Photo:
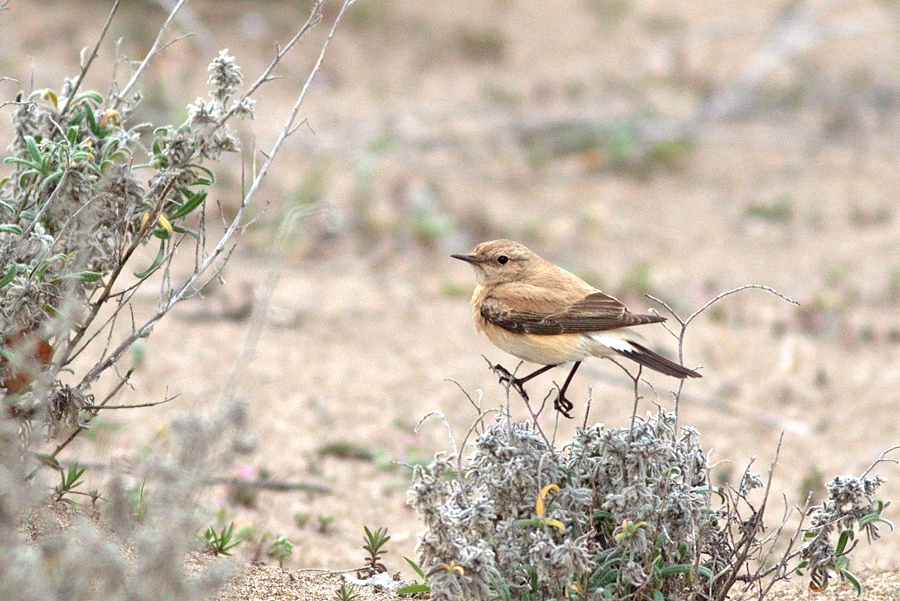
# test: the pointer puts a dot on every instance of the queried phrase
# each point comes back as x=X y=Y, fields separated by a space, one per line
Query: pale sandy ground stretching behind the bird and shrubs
x=436 y=125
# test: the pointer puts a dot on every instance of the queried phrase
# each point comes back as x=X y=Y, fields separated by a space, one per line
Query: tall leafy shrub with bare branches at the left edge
x=88 y=185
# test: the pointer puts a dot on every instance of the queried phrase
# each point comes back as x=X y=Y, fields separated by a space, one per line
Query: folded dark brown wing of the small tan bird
x=594 y=313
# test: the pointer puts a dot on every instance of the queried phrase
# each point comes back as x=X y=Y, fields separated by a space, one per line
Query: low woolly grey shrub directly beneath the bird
x=622 y=513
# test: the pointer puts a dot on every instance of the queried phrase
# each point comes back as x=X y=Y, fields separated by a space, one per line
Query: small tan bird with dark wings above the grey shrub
x=541 y=313
